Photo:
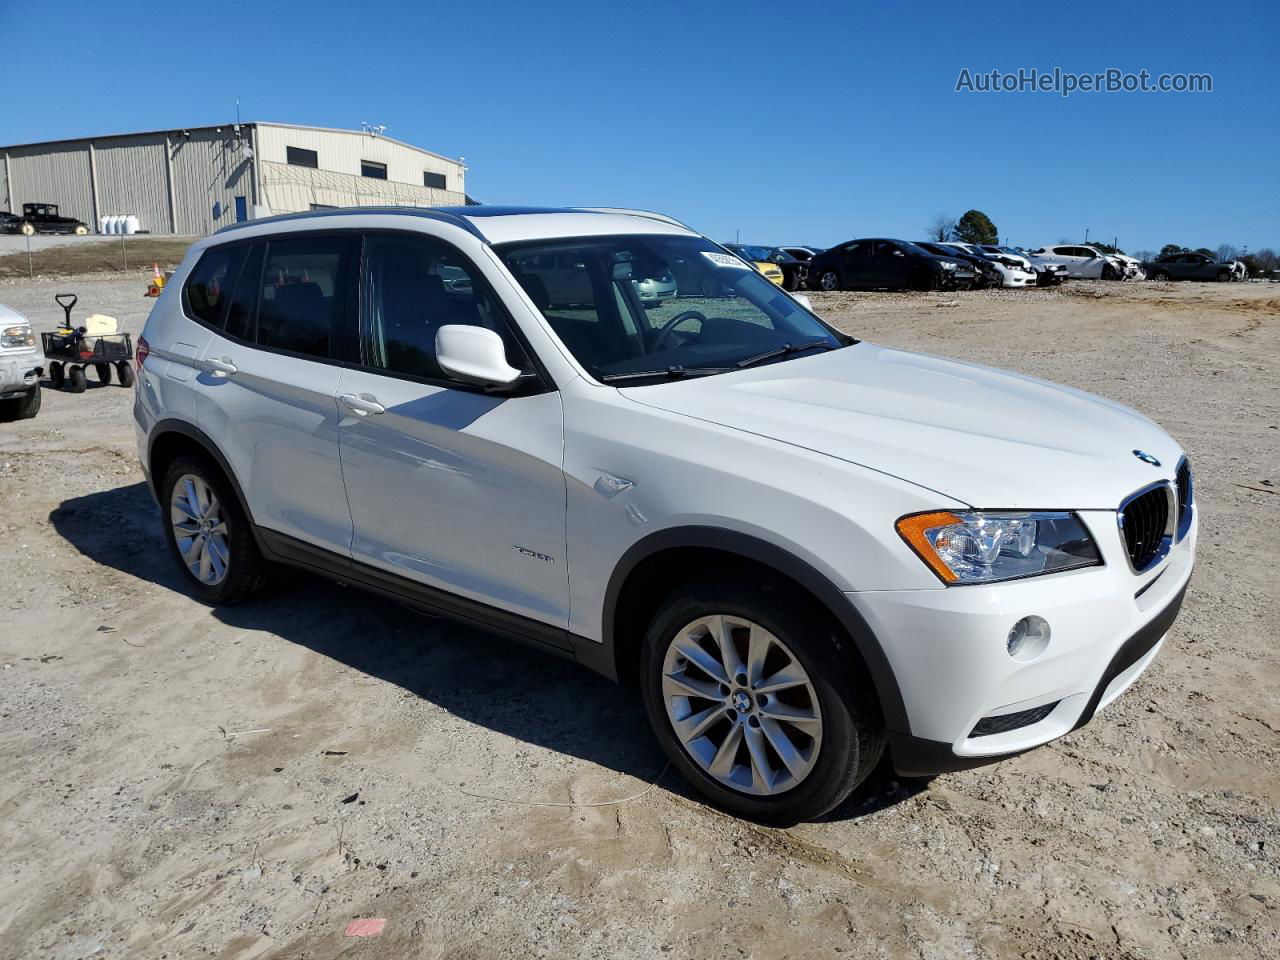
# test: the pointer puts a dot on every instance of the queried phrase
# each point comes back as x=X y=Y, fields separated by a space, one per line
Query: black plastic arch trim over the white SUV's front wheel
x=788 y=565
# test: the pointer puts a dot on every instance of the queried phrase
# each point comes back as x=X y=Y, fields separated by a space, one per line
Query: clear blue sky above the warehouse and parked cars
x=808 y=122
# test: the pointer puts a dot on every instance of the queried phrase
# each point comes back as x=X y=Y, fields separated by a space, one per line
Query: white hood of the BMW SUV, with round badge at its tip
x=980 y=436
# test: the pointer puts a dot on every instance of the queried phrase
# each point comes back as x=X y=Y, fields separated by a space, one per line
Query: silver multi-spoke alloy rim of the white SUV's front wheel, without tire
x=742 y=705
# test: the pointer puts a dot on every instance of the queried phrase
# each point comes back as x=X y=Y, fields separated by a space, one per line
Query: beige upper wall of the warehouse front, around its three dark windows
x=340 y=152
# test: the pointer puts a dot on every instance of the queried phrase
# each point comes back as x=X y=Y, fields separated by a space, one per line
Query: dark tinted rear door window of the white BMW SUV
x=301 y=292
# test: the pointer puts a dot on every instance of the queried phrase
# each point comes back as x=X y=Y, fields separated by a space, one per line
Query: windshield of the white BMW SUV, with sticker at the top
x=712 y=314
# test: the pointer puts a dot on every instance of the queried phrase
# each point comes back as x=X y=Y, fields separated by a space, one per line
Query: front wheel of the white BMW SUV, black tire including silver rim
x=835 y=749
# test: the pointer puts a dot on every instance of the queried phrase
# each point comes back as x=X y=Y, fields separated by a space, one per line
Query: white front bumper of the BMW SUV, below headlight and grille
x=947 y=650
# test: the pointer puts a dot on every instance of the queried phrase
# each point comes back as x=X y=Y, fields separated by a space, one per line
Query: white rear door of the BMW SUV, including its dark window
x=269 y=380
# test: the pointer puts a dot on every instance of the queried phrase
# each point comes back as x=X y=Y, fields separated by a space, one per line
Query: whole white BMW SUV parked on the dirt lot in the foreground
x=803 y=548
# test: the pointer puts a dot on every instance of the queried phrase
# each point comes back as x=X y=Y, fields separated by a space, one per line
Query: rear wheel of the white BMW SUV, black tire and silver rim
x=226 y=568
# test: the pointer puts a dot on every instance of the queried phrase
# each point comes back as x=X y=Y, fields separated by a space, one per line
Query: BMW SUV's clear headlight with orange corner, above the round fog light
x=982 y=548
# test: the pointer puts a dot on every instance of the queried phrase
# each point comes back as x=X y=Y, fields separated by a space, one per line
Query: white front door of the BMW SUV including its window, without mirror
x=450 y=487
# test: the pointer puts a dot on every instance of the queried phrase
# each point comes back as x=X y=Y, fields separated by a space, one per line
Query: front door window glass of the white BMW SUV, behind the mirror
x=414 y=286
